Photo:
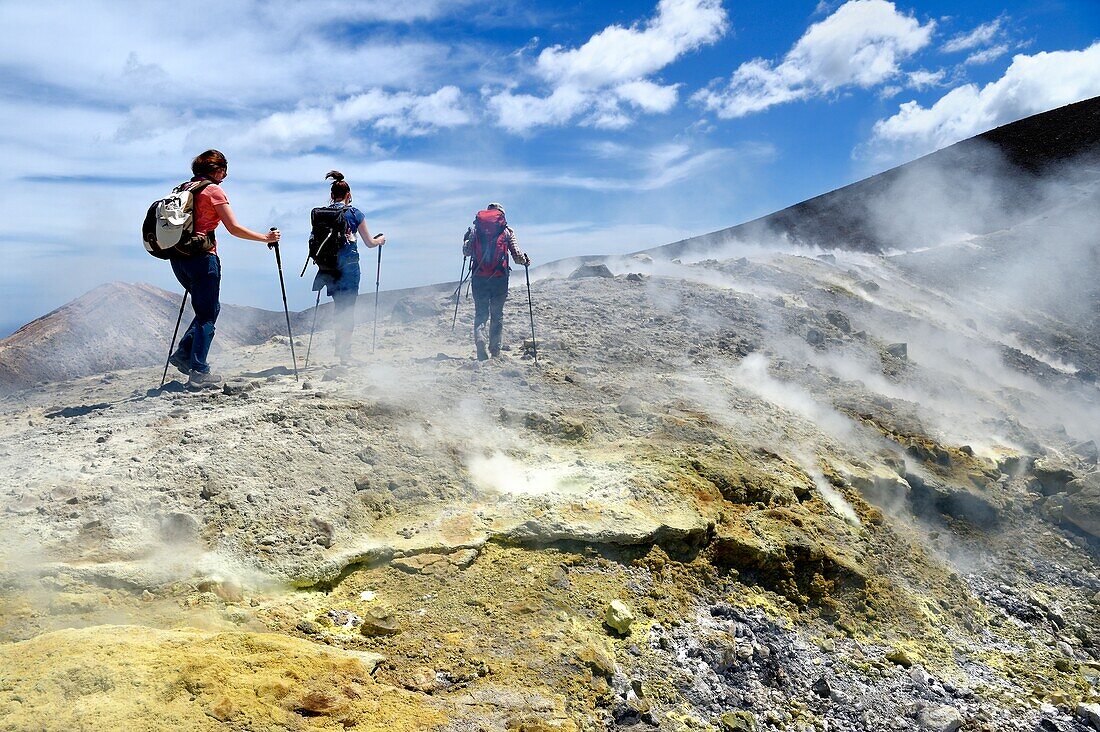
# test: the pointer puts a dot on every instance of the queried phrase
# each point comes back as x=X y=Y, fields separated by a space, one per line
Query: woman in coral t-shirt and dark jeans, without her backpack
x=201 y=275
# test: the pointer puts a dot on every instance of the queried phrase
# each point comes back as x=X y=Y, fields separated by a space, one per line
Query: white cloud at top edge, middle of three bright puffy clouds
x=862 y=45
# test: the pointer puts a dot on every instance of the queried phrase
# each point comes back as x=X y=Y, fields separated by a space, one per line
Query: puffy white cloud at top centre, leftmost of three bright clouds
x=606 y=79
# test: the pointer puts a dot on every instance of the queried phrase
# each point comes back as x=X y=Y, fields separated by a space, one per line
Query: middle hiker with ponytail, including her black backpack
x=338 y=267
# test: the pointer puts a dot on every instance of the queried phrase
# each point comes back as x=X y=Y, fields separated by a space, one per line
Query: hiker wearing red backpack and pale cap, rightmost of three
x=488 y=244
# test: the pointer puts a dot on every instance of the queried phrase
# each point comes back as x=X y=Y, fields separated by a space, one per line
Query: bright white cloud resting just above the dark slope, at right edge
x=1031 y=85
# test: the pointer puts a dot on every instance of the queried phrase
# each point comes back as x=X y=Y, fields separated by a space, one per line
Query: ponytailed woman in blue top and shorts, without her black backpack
x=343 y=282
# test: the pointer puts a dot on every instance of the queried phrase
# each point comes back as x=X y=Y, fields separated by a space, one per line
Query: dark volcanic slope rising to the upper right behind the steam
x=1022 y=151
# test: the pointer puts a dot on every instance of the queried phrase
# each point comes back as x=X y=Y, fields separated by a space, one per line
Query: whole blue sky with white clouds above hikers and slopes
x=602 y=128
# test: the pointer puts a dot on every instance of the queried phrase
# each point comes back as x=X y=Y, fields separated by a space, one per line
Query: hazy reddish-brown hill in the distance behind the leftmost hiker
x=115 y=326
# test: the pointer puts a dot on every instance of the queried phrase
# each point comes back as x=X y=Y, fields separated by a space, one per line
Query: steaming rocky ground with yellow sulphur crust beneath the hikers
x=764 y=493
